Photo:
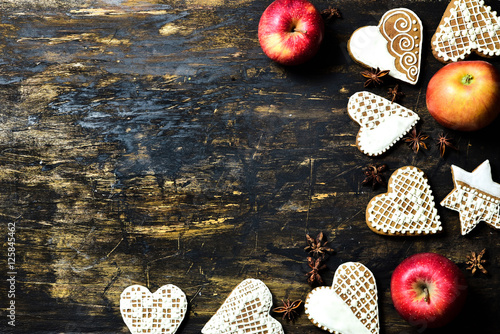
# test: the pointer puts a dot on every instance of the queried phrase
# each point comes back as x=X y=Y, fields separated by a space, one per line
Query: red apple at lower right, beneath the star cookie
x=428 y=290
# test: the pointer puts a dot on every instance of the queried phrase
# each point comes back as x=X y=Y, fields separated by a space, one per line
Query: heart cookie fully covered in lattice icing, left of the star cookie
x=407 y=208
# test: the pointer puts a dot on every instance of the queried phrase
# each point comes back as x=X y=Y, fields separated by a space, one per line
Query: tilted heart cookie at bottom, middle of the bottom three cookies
x=246 y=310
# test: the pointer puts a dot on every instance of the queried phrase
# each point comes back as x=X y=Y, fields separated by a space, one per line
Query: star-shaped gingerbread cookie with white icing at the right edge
x=475 y=196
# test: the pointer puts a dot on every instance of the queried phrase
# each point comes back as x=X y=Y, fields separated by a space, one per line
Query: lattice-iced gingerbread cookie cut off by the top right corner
x=467 y=26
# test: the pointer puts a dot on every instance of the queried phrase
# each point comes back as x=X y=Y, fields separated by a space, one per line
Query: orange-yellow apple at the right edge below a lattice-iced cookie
x=465 y=95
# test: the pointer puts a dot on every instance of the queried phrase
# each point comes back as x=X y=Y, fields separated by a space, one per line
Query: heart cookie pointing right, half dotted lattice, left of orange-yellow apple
x=382 y=122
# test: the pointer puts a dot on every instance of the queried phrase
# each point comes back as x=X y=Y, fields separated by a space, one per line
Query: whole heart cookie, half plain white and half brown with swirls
x=394 y=45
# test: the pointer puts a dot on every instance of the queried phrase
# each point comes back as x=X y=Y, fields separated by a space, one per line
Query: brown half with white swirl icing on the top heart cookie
x=403 y=30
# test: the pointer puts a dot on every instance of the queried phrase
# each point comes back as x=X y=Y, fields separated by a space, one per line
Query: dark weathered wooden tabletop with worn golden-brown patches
x=152 y=142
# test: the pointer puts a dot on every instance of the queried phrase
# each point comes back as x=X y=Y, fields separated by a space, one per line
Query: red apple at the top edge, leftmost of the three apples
x=291 y=31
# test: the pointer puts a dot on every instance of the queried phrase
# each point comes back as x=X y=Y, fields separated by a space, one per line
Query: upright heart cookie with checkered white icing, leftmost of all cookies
x=154 y=313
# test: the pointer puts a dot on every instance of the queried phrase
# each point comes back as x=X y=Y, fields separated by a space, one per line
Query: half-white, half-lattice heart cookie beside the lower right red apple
x=350 y=305
